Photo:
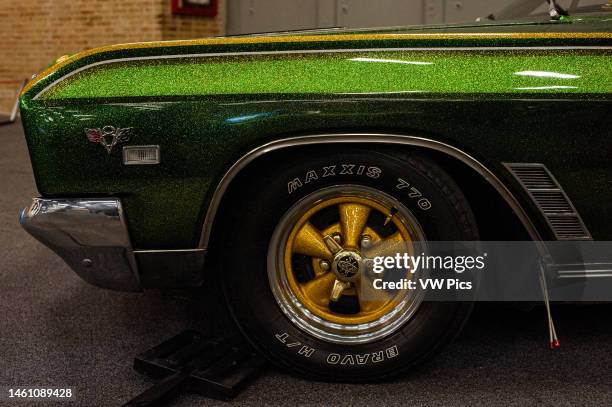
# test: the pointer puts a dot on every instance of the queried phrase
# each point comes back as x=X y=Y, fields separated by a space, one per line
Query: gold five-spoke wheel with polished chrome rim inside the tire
x=320 y=263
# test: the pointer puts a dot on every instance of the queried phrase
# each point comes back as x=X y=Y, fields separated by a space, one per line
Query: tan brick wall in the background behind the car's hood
x=33 y=33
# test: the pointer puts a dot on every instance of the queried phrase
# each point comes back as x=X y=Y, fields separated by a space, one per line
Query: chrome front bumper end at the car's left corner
x=90 y=235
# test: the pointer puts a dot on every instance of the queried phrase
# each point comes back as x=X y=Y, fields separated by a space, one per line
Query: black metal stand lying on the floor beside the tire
x=190 y=361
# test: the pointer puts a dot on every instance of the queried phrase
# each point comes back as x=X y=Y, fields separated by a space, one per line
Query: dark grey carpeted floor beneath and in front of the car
x=56 y=330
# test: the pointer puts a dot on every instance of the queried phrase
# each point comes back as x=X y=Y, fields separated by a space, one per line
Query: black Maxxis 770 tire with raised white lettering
x=442 y=211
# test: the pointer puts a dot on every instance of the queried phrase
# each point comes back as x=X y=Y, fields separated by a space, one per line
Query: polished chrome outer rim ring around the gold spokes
x=303 y=318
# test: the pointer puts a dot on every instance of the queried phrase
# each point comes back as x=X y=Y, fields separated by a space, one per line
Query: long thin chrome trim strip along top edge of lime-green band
x=310 y=51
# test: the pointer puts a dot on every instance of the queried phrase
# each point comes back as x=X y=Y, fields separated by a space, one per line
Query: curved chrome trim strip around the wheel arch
x=367 y=138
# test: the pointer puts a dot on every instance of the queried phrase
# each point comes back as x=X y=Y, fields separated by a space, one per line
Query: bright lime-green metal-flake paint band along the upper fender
x=362 y=72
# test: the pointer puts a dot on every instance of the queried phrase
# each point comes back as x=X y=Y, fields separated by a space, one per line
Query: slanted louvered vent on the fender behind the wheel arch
x=551 y=200
